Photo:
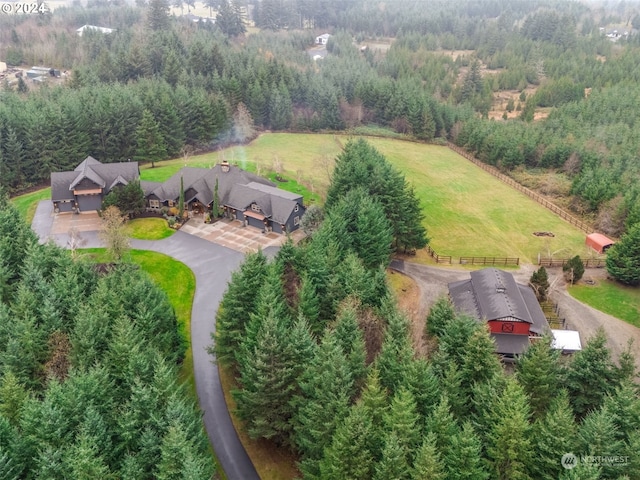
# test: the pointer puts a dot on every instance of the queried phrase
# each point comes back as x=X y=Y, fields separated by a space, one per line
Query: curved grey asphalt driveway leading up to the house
x=212 y=265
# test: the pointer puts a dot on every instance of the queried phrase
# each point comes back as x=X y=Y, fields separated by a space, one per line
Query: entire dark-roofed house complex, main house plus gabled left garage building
x=253 y=200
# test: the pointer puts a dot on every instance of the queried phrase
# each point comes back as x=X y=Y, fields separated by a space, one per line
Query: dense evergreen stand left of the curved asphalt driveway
x=88 y=369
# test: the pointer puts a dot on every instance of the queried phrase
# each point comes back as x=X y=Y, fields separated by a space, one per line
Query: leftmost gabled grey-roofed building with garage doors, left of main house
x=85 y=187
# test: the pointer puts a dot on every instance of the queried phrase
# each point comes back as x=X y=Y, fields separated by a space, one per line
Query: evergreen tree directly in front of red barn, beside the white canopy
x=539 y=373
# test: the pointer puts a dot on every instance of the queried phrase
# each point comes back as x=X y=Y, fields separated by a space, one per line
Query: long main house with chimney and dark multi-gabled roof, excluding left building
x=253 y=200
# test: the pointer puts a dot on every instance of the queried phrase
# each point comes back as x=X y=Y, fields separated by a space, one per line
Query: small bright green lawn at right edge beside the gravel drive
x=612 y=298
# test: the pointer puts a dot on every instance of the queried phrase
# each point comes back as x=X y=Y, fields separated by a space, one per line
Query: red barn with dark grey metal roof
x=511 y=310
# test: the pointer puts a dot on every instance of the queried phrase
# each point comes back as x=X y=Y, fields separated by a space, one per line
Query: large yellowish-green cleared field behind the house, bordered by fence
x=468 y=212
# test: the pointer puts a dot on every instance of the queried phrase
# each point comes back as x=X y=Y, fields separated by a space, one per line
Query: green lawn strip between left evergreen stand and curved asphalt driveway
x=179 y=283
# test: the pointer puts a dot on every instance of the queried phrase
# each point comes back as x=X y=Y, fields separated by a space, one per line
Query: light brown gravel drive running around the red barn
x=432 y=282
